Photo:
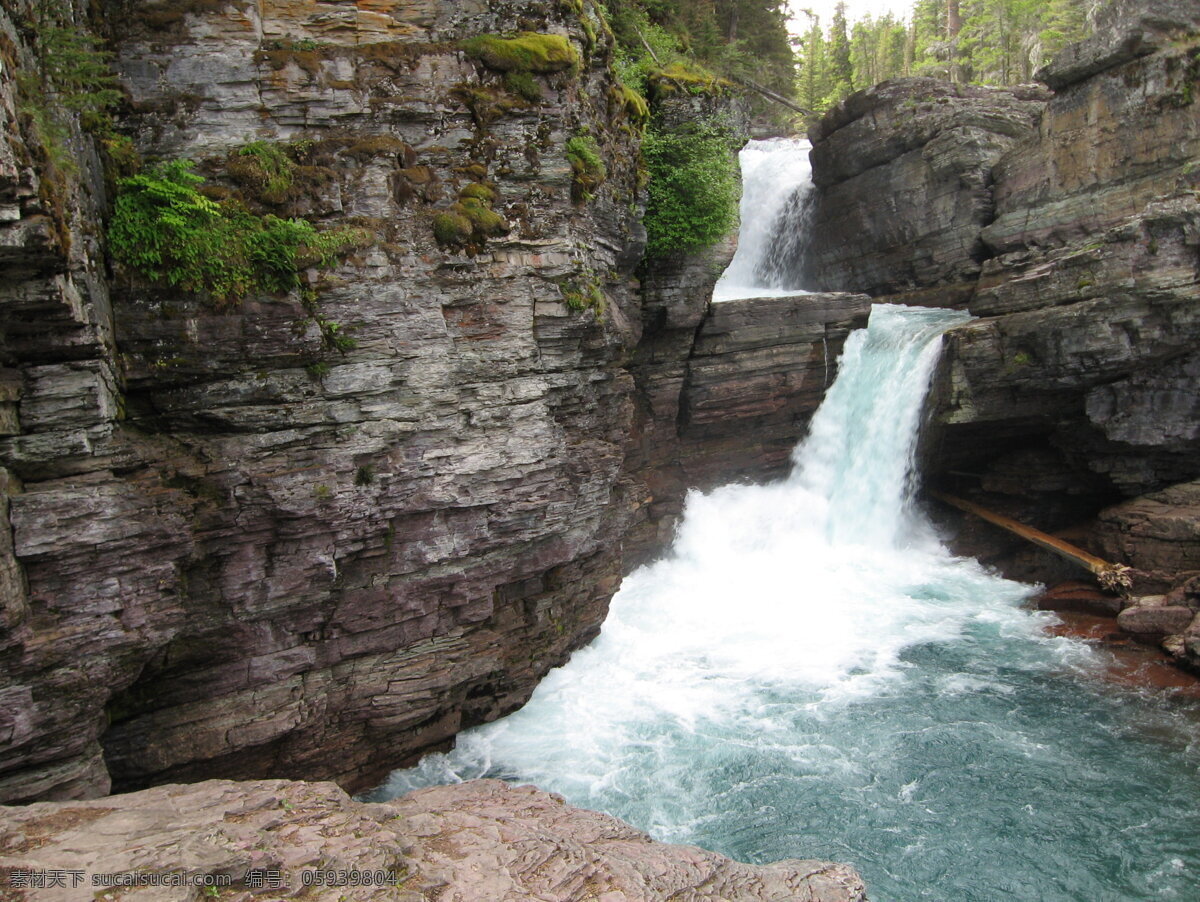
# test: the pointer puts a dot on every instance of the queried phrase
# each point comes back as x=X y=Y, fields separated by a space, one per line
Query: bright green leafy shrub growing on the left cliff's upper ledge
x=167 y=231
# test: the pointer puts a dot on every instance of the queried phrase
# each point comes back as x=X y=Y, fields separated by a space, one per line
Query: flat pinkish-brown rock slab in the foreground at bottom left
x=484 y=840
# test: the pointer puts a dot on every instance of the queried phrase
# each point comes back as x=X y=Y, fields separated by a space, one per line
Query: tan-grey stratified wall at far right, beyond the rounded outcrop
x=1090 y=300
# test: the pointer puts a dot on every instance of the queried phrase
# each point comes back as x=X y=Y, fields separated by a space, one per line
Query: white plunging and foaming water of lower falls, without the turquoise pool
x=808 y=591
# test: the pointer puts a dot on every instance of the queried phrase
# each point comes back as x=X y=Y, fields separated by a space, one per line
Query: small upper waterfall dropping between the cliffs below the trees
x=776 y=181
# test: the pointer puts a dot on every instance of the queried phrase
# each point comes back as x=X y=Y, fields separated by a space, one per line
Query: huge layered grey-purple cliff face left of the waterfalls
x=244 y=546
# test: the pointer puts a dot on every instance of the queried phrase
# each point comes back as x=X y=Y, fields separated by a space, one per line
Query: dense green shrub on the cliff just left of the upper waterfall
x=693 y=189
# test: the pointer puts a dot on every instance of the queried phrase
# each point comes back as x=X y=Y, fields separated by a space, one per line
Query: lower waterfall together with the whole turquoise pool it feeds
x=811 y=675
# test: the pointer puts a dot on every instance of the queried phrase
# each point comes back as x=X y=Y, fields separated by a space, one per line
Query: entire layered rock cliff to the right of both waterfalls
x=1070 y=225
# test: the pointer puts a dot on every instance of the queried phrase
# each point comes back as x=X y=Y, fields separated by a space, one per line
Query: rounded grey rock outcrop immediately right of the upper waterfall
x=904 y=178
